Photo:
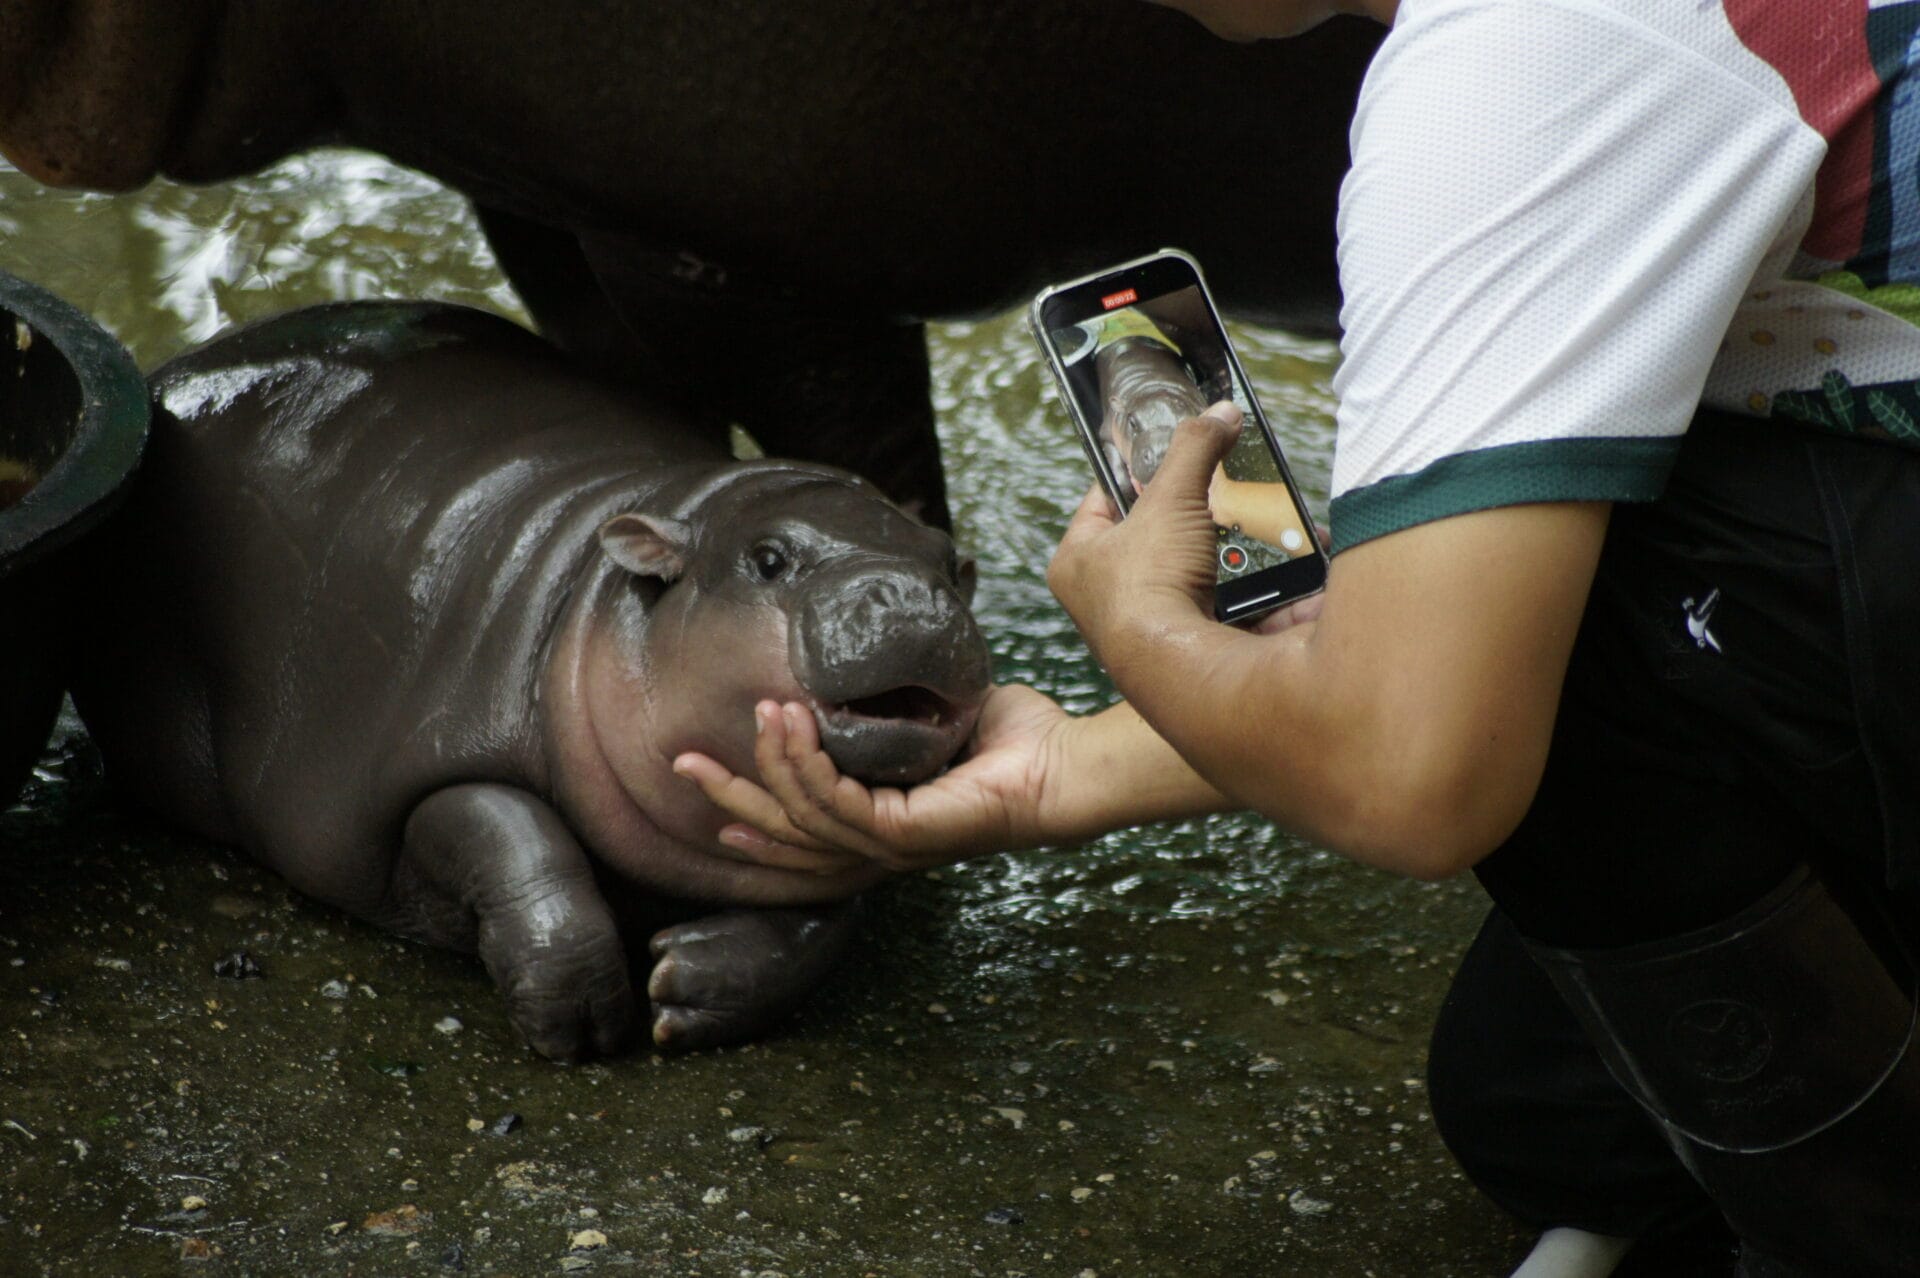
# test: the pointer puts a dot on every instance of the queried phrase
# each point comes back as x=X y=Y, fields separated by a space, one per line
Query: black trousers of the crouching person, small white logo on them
x=1744 y=696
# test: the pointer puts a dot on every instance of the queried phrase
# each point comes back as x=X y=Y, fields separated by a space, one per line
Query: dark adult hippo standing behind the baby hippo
x=750 y=206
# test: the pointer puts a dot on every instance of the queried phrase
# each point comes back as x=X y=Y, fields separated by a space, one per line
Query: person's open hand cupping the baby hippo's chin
x=992 y=801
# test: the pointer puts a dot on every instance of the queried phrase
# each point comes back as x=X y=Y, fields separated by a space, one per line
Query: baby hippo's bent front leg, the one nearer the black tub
x=492 y=868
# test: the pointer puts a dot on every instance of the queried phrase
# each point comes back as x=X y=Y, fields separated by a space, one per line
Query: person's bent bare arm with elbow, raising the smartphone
x=1408 y=724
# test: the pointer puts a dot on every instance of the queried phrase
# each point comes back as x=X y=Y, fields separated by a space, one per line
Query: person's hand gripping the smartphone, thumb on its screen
x=1157 y=565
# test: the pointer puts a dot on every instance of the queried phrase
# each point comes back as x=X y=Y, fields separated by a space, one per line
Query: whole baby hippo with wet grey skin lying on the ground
x=421 y=617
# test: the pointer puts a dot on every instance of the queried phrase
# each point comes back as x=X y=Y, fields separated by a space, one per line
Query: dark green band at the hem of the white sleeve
x=1510 y=475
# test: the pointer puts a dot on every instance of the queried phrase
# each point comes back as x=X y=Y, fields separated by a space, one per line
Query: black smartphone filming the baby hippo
x=1138 y=350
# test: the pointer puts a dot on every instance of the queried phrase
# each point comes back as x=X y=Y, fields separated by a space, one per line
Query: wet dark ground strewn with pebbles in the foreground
x=1116 y=1091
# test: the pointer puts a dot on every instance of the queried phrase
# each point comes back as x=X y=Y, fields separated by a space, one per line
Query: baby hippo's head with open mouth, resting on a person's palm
x=792 y=582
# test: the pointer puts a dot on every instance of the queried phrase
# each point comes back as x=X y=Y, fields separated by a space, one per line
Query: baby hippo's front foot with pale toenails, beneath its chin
x=731 y=978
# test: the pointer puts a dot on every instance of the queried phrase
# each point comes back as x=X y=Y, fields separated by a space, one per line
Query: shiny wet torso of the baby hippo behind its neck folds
x=354 y=534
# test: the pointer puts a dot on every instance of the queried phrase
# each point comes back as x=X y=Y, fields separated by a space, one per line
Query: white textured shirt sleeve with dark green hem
x=1548 y=225
